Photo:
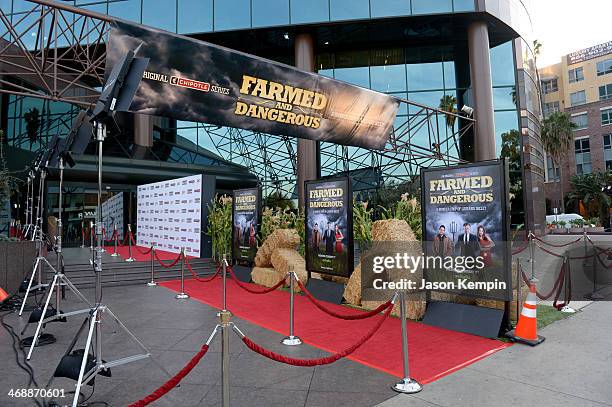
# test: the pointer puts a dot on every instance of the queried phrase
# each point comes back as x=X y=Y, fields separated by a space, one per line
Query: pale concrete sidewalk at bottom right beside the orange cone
x=573 y=367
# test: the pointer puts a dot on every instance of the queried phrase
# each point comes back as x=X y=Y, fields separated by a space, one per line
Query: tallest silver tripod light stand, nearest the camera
x=93 y=365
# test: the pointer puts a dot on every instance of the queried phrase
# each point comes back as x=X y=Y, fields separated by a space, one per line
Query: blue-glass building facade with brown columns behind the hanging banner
x=474 y=51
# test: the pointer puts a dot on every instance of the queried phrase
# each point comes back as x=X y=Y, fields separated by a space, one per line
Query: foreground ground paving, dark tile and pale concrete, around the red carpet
x=571 y=368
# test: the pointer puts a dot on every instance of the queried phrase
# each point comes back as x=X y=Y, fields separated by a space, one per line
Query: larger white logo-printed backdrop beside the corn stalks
x=169 y=215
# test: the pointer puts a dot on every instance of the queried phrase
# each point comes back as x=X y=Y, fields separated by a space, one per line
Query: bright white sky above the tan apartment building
x=565 y=26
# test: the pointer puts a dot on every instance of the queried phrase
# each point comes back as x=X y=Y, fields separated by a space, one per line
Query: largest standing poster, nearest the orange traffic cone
x=465 y=216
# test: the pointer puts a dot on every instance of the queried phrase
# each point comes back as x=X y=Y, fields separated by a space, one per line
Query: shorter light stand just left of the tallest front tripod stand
x=59 y=279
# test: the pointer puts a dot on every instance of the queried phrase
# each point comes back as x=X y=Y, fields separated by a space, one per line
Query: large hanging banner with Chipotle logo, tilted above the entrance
x=188 y=79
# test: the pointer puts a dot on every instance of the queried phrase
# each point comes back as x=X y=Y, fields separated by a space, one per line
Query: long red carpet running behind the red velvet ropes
x=434 y=352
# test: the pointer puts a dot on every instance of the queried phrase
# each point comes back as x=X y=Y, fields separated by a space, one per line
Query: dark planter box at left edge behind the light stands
x=16 y=261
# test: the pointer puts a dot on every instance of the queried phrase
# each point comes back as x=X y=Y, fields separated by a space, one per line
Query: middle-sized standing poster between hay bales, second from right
x=329 y=227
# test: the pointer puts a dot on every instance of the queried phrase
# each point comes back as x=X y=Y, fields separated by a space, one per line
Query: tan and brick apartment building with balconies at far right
x=581 y=85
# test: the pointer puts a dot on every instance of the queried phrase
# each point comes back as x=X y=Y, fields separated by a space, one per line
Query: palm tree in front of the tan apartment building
x=557 y=138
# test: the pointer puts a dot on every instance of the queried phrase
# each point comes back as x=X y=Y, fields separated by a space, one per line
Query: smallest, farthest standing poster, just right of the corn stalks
x=245 y=220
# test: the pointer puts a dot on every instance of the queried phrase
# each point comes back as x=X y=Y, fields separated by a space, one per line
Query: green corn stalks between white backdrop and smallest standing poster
x=220 y=226
